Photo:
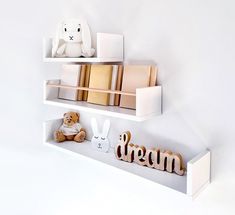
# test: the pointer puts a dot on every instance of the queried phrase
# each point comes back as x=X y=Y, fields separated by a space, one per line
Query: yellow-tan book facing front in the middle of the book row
x=100 y=78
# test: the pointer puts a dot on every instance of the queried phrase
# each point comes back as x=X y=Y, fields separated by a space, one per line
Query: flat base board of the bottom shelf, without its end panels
x=170 y=180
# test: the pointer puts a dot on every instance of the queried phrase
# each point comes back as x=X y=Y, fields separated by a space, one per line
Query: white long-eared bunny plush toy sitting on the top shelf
x=73 y=39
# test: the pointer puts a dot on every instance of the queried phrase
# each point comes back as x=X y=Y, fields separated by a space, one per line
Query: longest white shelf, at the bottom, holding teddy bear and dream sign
x=198 y=169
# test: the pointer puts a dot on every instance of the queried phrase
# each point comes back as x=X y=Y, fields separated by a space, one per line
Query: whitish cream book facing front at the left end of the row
x=70 y=76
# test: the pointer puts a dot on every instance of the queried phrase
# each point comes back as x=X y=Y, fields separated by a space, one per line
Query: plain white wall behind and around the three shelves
x=192 y=41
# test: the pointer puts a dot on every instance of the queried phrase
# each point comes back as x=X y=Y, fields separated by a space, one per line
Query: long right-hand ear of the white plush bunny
x=86 y=37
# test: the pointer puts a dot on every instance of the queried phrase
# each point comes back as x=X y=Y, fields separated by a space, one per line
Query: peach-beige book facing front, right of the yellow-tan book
x=134 y=76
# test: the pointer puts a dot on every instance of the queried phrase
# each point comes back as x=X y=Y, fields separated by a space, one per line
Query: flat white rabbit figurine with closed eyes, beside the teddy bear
x=99 y=140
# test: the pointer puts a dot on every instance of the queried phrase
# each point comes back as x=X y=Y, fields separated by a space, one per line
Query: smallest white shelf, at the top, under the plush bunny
x=109 y=49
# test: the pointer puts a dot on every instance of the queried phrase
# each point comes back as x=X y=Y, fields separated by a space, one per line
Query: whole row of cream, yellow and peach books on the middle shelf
x=106 y=77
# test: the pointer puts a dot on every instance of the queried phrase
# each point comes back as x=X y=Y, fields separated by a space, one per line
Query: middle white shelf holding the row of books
x=148 y=103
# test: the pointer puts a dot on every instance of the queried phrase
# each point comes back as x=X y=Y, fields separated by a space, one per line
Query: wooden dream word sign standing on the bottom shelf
x=154 y=158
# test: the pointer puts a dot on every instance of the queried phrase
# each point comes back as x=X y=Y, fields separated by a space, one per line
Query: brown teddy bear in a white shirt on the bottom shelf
x=71 y=129
